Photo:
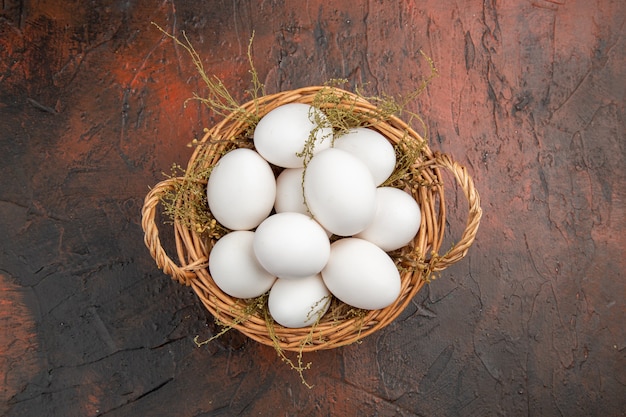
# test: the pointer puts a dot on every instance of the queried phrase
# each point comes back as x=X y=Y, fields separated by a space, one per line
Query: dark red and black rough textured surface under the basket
x=530 y=97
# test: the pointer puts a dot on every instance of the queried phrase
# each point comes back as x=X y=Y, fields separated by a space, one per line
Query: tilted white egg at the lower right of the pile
x=361 y=274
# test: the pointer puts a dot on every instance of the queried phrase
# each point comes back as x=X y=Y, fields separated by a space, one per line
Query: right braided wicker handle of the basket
x=459 y=250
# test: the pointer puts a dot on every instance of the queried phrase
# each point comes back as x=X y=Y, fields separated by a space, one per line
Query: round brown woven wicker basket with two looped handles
x=193 y=249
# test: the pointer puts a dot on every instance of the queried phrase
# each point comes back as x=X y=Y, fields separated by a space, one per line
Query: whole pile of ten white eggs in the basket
x=281 y=226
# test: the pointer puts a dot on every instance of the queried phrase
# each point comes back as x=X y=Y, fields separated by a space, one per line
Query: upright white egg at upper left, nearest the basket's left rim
x=241 y=189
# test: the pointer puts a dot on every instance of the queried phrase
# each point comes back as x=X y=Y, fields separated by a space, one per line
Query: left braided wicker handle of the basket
x=151 y=233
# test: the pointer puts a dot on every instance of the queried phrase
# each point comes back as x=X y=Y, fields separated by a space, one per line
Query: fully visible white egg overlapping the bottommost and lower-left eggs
x=291 y=245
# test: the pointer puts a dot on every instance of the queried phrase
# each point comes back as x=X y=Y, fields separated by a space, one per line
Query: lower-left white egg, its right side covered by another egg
x=235 y=269
